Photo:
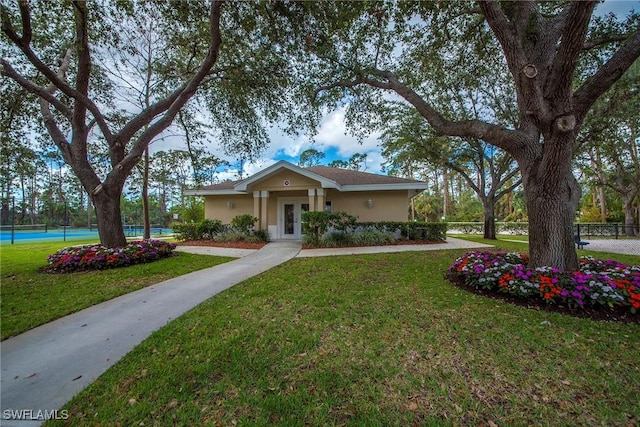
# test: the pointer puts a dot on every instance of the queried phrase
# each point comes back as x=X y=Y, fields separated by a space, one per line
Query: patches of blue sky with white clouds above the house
x=333 y=139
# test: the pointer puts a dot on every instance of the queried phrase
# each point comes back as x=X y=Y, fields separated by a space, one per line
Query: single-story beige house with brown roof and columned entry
x=280 y=193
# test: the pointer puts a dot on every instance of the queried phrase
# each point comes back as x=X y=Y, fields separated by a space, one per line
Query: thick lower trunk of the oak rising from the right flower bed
x=551 y=217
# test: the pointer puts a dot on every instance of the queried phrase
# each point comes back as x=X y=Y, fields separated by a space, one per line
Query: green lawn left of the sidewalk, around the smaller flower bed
x=31 y=298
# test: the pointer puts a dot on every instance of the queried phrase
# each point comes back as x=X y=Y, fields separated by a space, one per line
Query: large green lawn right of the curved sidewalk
x=370 y=340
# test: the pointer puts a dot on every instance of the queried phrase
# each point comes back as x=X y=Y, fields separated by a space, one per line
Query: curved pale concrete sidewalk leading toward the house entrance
x=45 y=367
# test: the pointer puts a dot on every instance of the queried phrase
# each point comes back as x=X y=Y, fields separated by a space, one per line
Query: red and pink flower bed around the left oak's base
x=98 y=257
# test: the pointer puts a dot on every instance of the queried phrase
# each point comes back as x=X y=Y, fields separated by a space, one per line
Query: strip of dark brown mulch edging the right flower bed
x=616 y=314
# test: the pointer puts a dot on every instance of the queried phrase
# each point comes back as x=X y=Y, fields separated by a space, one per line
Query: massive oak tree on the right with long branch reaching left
x=390 y=47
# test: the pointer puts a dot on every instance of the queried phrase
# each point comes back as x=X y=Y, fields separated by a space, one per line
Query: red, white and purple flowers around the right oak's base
x=597 y=284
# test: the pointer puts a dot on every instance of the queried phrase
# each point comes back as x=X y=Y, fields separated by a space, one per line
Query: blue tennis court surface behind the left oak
x=43 y=234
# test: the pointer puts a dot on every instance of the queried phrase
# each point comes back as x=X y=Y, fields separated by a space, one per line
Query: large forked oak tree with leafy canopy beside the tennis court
x=62 y=52
